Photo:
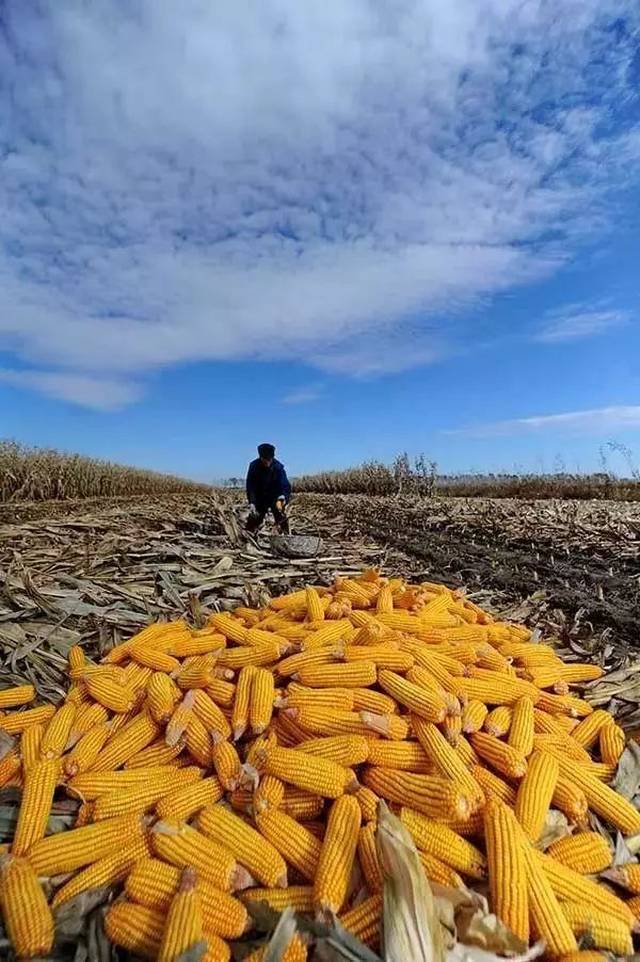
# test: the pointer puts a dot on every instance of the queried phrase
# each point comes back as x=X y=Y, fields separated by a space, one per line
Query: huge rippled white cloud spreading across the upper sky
x=270 y=179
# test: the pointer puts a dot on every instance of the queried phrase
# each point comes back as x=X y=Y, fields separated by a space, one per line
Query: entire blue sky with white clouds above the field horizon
x=349 y=228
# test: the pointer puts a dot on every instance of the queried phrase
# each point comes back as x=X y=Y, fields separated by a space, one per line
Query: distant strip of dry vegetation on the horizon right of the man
x=421 y=478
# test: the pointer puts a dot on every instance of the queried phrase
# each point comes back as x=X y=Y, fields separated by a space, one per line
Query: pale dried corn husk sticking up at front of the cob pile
x=412 y=931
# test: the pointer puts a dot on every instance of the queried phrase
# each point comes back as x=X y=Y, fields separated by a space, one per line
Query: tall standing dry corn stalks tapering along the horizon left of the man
x=38 y=474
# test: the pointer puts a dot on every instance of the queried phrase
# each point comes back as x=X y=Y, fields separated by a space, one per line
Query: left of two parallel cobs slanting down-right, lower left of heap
x=181 y=845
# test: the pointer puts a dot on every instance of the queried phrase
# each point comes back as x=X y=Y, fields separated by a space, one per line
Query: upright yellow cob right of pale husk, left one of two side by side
x=506 y=868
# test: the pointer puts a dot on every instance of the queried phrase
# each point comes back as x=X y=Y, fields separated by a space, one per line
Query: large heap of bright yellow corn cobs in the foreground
x=245 y=761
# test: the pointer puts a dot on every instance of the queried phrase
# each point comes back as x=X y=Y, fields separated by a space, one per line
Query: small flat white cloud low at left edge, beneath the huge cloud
x=98 y=392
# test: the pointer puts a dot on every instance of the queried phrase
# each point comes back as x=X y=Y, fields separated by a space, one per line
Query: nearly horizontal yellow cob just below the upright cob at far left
x=67 y=851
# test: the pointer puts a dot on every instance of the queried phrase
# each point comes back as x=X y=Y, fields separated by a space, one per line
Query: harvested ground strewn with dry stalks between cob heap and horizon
x=95 y=571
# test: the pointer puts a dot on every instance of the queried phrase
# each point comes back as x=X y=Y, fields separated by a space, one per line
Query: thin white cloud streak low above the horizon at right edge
x=596 y=421
